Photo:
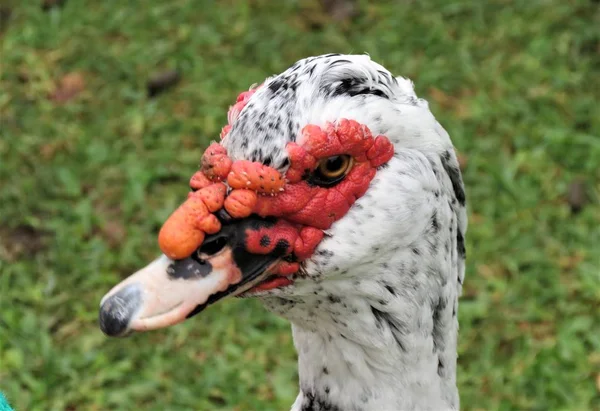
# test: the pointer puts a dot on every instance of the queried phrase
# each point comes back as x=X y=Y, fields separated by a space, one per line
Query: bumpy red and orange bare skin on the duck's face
x=303 y=210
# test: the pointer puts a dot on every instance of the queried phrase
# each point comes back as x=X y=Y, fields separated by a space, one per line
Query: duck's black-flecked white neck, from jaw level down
x=388 y=342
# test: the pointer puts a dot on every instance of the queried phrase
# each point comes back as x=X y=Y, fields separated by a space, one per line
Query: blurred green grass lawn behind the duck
x=85 y=185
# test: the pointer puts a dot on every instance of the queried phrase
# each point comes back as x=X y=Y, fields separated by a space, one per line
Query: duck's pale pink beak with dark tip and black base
x=167 y=291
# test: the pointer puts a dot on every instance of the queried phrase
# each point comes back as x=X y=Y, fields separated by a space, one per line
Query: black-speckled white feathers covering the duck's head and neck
x=374 y=320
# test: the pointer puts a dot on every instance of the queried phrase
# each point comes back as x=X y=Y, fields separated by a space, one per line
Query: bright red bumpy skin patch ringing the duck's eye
x=303 y=203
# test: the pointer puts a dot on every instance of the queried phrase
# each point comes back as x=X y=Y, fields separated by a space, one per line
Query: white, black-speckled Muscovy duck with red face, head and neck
x=335 y=197
